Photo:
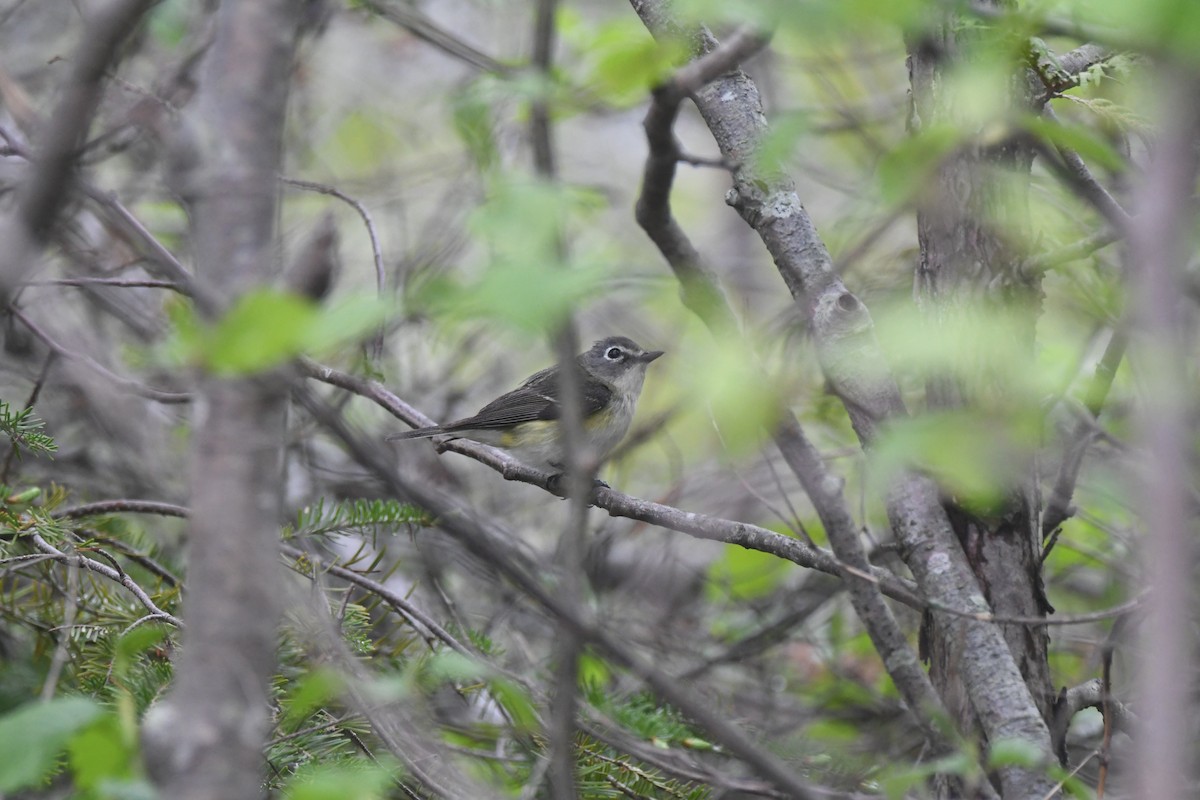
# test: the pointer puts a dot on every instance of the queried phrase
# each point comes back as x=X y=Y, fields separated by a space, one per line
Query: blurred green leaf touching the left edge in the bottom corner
x=33 y=737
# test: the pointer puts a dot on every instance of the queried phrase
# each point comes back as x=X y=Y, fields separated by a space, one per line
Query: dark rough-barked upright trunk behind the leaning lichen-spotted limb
x=968 y=224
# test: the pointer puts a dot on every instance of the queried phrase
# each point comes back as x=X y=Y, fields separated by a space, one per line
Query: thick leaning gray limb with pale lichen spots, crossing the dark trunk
x=853 y=363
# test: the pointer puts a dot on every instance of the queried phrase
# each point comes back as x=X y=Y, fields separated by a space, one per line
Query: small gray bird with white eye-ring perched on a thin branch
x=525 y=422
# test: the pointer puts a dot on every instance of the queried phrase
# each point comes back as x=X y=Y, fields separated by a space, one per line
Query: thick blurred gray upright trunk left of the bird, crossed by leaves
x=206 y=742
